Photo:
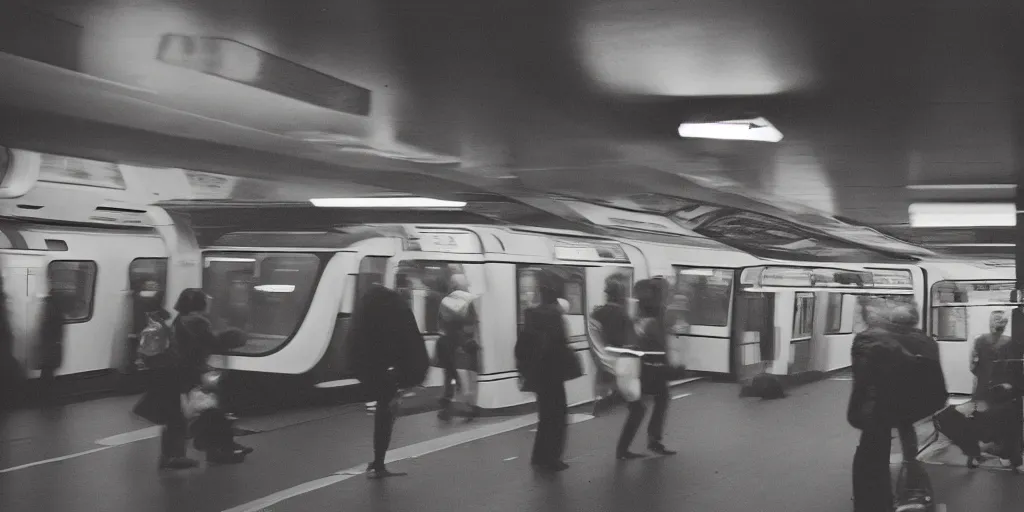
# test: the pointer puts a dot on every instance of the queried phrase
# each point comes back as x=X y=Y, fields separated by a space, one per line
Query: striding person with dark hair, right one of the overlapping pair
x=652 y=335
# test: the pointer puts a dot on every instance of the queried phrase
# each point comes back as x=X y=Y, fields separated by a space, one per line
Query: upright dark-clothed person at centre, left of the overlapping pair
x=546 y=363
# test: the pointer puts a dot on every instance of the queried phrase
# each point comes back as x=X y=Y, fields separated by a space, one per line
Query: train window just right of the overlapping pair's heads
x=701 y=297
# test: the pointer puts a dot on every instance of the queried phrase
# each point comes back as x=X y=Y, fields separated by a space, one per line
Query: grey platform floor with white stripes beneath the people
x=736 y=455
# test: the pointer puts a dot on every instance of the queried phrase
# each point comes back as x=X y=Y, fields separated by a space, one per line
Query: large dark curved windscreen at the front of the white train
x=265 y=294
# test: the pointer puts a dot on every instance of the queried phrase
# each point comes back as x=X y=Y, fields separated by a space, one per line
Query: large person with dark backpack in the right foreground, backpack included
x=898 y=381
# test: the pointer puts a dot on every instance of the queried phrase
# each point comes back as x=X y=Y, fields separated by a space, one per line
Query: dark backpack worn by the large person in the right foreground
x=919 y=383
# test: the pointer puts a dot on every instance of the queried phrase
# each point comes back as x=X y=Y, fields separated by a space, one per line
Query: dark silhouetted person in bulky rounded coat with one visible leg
x=388 y=354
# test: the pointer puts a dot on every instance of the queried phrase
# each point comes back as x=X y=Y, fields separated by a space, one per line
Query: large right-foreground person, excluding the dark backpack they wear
x=877 y=355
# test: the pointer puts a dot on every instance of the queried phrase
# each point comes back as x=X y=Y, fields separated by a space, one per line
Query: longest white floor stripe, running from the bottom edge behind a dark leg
x=411 y=452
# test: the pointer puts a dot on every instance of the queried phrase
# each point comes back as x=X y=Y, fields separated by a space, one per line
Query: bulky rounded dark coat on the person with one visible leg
x=385 y=335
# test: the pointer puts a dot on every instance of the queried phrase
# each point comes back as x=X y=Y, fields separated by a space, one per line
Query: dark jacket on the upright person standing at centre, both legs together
x=543 y=355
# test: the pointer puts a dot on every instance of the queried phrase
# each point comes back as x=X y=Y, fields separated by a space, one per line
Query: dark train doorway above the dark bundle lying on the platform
x=753 y=333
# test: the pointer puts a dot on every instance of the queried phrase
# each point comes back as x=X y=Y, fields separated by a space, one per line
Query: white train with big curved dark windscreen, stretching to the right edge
x=739 y=315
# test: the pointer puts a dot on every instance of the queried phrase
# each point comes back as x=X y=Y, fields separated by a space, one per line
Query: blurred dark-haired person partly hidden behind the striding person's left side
x=610 y=326
